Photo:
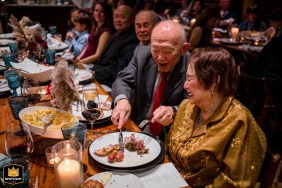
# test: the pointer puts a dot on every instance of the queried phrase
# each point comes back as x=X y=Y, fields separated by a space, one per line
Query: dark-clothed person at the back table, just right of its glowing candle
x=254 y=23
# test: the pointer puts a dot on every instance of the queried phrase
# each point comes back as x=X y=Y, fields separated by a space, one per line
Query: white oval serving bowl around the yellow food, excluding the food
x=50 y=133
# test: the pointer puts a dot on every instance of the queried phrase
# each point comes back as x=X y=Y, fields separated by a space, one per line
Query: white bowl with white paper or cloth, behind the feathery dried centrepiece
x=32 y=70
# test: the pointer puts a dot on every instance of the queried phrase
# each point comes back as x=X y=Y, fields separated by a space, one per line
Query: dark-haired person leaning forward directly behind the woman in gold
x=200 y=34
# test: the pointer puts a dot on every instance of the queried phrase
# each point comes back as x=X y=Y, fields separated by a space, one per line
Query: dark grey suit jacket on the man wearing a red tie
x=137 y=82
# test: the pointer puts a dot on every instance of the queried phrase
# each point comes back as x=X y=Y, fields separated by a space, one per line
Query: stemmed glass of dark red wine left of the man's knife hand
x=91 y=106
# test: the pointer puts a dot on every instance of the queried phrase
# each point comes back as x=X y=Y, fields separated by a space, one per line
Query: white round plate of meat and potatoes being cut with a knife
x=139 y=149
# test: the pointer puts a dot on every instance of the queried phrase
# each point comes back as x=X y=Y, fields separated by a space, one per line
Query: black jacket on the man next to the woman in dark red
x=116 y=56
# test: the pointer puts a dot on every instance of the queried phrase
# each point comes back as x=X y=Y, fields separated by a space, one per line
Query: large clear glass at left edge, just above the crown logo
x=18 y=139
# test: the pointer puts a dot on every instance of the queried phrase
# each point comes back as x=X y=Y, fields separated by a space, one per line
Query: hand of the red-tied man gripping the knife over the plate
x=121 y=113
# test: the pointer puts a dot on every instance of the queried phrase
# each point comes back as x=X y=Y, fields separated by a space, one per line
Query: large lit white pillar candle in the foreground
x=69 y=174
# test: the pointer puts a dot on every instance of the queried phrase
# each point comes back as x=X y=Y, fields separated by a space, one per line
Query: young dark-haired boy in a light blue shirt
x=82 y=25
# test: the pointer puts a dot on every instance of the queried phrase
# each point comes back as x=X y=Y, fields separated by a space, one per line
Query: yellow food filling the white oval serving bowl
x=35 y=118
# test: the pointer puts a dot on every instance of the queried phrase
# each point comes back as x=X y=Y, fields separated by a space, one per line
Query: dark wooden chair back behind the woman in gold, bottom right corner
x=268 y=170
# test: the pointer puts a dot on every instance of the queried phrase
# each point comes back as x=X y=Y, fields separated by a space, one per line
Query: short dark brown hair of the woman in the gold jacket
x=209 y=63
